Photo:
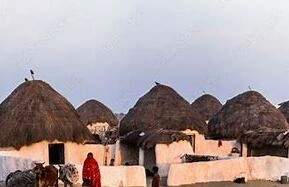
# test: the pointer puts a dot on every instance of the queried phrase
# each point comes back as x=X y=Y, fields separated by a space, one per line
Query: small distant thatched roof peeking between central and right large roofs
x=207 y=106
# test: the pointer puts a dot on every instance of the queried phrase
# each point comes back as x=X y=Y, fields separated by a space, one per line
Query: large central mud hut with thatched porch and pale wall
x=152 y=130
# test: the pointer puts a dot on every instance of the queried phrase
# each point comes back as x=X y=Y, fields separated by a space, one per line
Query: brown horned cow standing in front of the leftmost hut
x=46 y=176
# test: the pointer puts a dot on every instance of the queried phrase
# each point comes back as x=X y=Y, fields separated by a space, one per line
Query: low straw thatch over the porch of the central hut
x=149 y=138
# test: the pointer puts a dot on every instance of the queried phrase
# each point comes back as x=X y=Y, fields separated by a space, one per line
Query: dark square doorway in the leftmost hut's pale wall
x=56 y=153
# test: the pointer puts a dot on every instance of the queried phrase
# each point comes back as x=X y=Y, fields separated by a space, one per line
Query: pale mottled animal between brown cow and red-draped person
x=68 y=174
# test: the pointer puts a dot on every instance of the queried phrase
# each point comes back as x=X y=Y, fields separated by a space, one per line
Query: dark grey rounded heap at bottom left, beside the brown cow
x=21 y=179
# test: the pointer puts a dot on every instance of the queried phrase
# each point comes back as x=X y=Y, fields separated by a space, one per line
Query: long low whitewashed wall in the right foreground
x=253 y=168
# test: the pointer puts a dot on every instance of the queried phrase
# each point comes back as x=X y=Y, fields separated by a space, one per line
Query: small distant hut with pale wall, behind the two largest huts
x=100 y=120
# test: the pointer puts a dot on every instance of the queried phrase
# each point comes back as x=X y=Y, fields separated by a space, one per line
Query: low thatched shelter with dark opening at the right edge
x=265 y=141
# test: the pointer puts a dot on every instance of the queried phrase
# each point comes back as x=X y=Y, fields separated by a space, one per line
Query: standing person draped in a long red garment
x=90 y=172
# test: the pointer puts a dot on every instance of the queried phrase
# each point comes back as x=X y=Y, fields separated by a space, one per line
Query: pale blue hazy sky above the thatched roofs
x=113 y=50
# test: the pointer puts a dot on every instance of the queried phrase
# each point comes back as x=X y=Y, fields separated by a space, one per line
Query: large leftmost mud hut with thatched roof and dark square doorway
x=36 y=122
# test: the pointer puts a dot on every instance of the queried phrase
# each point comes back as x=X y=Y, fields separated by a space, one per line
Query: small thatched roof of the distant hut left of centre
x=93 y=111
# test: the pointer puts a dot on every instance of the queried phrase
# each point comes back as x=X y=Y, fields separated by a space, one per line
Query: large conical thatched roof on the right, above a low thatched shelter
x=247 y=111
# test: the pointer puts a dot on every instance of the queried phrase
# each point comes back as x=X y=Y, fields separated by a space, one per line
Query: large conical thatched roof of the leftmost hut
x=34 y=112
